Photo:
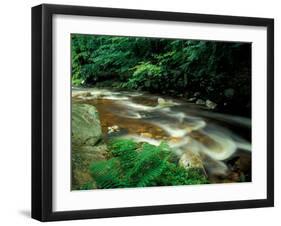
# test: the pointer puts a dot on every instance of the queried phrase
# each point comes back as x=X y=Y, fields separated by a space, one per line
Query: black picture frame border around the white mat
x=42 y=111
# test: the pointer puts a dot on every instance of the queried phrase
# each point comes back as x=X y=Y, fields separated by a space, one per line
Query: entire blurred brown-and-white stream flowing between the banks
x=218 y=143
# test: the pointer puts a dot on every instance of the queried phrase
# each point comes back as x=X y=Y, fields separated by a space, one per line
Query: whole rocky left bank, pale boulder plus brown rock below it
x=87 y=144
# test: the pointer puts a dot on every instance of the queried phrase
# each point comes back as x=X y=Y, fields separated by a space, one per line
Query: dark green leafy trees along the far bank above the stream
x=220 y=71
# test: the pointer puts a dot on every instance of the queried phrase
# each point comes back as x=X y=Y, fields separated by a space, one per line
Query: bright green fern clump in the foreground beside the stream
x=141 y=165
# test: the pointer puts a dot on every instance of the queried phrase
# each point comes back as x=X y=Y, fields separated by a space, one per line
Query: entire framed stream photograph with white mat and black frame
x=145 y=112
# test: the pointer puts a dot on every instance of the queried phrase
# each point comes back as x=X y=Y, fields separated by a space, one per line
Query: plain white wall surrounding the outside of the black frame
x=15 y=120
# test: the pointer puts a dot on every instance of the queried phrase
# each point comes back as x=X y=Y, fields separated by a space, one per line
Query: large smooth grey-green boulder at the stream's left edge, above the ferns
x=86 y=128
